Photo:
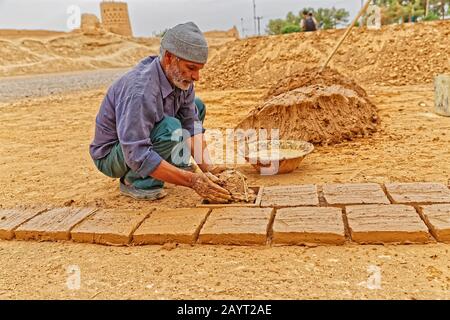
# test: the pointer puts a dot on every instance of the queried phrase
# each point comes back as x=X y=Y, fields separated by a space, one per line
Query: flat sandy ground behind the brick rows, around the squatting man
x=45 y=155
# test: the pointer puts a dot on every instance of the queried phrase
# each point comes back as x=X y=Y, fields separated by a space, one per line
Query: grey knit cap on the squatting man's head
x=187 y=42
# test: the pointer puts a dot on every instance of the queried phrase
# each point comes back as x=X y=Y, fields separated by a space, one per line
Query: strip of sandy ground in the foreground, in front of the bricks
x=46 y=270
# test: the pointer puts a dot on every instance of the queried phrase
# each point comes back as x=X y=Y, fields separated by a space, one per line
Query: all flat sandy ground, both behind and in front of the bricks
x=44 y=146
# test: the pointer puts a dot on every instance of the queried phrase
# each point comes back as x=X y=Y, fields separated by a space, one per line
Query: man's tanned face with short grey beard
x=183 y=73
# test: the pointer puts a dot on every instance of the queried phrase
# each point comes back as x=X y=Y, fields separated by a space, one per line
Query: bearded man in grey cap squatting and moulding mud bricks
x=137 y=133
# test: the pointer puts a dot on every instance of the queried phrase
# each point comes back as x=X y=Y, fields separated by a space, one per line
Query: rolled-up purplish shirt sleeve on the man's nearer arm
x=135 y=120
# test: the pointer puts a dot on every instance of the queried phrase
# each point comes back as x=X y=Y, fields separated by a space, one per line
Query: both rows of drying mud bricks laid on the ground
x=286 y=215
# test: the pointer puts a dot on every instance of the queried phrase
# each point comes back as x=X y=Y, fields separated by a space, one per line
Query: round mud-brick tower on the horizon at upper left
x=115 y=17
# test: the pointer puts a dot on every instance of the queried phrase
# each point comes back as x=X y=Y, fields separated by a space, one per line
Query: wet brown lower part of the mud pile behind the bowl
x=318 y=113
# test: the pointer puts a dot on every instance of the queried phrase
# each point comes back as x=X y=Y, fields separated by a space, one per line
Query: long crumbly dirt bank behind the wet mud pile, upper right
x=394 y=55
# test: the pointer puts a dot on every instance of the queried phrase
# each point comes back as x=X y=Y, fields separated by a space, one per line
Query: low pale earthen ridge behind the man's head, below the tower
x=25 y=52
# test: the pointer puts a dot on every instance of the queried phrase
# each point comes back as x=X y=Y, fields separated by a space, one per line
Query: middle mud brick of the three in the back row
x=365 y=193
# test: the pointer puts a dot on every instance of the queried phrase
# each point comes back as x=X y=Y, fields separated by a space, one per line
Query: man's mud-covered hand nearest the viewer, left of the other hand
x=209 y=190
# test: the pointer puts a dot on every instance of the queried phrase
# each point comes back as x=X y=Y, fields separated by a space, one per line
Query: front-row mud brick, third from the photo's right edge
x=296 y=226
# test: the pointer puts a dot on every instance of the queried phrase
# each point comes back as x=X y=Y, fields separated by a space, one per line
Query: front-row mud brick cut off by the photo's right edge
x=438 y=218
